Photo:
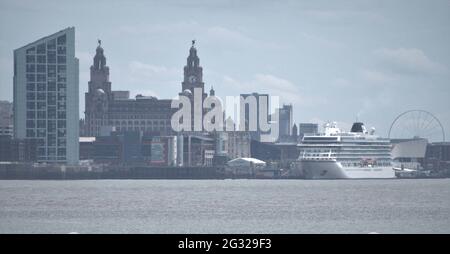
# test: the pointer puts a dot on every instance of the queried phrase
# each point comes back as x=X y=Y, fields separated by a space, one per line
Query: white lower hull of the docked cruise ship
x=334 y=170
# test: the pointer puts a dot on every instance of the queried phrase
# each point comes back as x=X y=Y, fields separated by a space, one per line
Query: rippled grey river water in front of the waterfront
x=225 y=206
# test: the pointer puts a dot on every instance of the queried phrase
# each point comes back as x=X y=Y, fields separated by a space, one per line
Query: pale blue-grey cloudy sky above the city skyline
x=333 y=60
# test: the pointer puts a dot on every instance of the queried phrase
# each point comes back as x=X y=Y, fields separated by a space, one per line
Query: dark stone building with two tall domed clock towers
x=113 y=110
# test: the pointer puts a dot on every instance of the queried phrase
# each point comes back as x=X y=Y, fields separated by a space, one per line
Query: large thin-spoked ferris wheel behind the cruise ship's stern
x=417 y=124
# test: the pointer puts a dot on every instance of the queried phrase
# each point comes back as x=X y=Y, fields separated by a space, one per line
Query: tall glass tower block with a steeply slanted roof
x=46 y=96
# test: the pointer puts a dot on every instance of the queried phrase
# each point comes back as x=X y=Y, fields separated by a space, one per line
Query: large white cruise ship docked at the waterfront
x=343 y=155
